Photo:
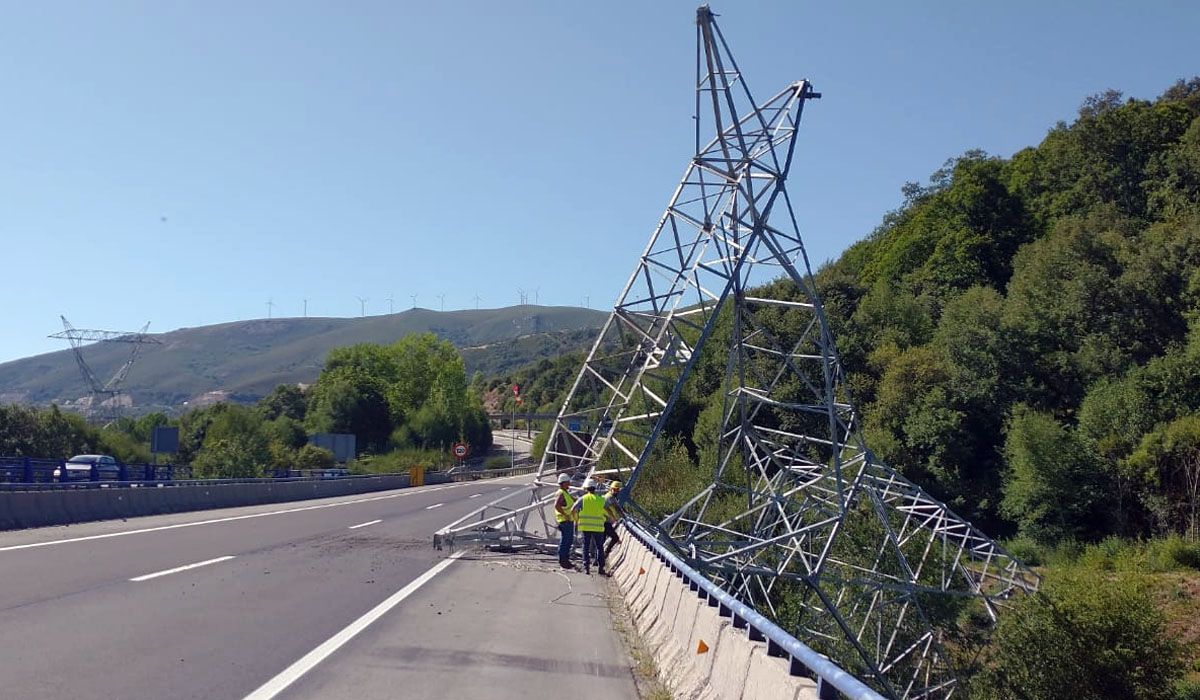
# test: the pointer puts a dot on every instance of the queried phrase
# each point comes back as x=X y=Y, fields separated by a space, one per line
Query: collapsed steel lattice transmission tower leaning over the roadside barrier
x=799 y=518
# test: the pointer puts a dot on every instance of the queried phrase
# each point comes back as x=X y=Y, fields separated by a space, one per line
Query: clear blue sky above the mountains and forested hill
x=184 y=163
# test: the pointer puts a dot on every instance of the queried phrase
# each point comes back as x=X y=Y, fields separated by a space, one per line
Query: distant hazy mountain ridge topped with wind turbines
x=245 y=360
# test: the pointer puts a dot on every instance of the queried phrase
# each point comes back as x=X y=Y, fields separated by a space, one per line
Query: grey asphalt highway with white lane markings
x=220 y=605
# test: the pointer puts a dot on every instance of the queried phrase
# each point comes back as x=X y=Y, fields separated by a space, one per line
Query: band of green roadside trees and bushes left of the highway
x=407 y=404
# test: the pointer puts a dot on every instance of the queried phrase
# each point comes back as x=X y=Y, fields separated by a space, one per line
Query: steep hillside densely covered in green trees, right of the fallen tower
x=1023 y=336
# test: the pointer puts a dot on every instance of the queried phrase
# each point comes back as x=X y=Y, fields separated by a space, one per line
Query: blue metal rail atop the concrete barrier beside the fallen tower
x=805 y=662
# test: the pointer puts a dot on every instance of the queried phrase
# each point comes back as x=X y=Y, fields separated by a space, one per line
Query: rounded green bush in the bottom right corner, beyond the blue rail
x=1087 y=637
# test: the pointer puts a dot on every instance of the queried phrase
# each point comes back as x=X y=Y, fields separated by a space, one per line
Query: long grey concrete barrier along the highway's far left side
x=22 y=510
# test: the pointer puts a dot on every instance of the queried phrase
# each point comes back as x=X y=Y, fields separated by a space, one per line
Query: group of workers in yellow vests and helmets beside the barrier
x=597 y=518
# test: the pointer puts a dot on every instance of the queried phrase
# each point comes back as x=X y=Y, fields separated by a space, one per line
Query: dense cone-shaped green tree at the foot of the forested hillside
x=1057 y=487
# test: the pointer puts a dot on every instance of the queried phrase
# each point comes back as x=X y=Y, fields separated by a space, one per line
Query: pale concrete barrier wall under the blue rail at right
x=700 y=655
